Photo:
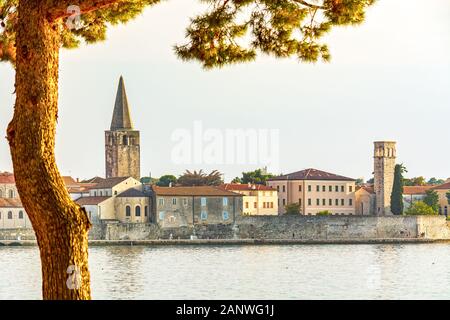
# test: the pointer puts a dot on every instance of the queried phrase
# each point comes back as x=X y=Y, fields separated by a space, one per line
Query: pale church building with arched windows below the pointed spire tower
x=119 y=199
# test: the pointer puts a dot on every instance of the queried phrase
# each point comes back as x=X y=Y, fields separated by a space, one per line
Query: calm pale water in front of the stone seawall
x=247 y=272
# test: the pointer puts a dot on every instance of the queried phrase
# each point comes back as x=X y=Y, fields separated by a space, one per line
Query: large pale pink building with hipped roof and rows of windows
x=315 y=191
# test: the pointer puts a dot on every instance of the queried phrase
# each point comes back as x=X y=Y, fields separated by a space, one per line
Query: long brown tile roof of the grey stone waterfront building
x=194 y=191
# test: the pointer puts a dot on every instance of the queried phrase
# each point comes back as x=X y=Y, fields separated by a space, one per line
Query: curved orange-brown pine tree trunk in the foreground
x=60 y=225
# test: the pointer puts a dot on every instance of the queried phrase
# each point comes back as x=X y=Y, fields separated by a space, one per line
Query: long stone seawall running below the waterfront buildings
x=276 y=228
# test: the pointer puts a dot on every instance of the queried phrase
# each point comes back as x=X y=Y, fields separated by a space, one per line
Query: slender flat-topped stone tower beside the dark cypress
x=384 y=167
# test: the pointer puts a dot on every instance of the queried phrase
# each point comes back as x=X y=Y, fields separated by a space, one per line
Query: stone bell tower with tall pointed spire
x=122 y=149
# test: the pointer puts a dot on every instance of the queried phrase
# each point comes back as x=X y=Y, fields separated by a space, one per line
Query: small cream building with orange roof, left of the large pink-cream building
x=257 y=199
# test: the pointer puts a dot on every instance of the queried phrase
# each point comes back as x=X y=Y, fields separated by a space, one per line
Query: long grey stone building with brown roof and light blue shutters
x=184 y=206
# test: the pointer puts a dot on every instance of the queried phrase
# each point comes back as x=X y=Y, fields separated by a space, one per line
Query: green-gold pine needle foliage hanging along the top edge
x=229 y=31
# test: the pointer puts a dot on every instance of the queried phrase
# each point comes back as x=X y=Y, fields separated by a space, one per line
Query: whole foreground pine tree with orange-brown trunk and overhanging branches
x=31 y=36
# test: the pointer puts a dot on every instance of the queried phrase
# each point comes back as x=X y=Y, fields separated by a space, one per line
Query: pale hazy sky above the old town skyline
x=388 y=79
